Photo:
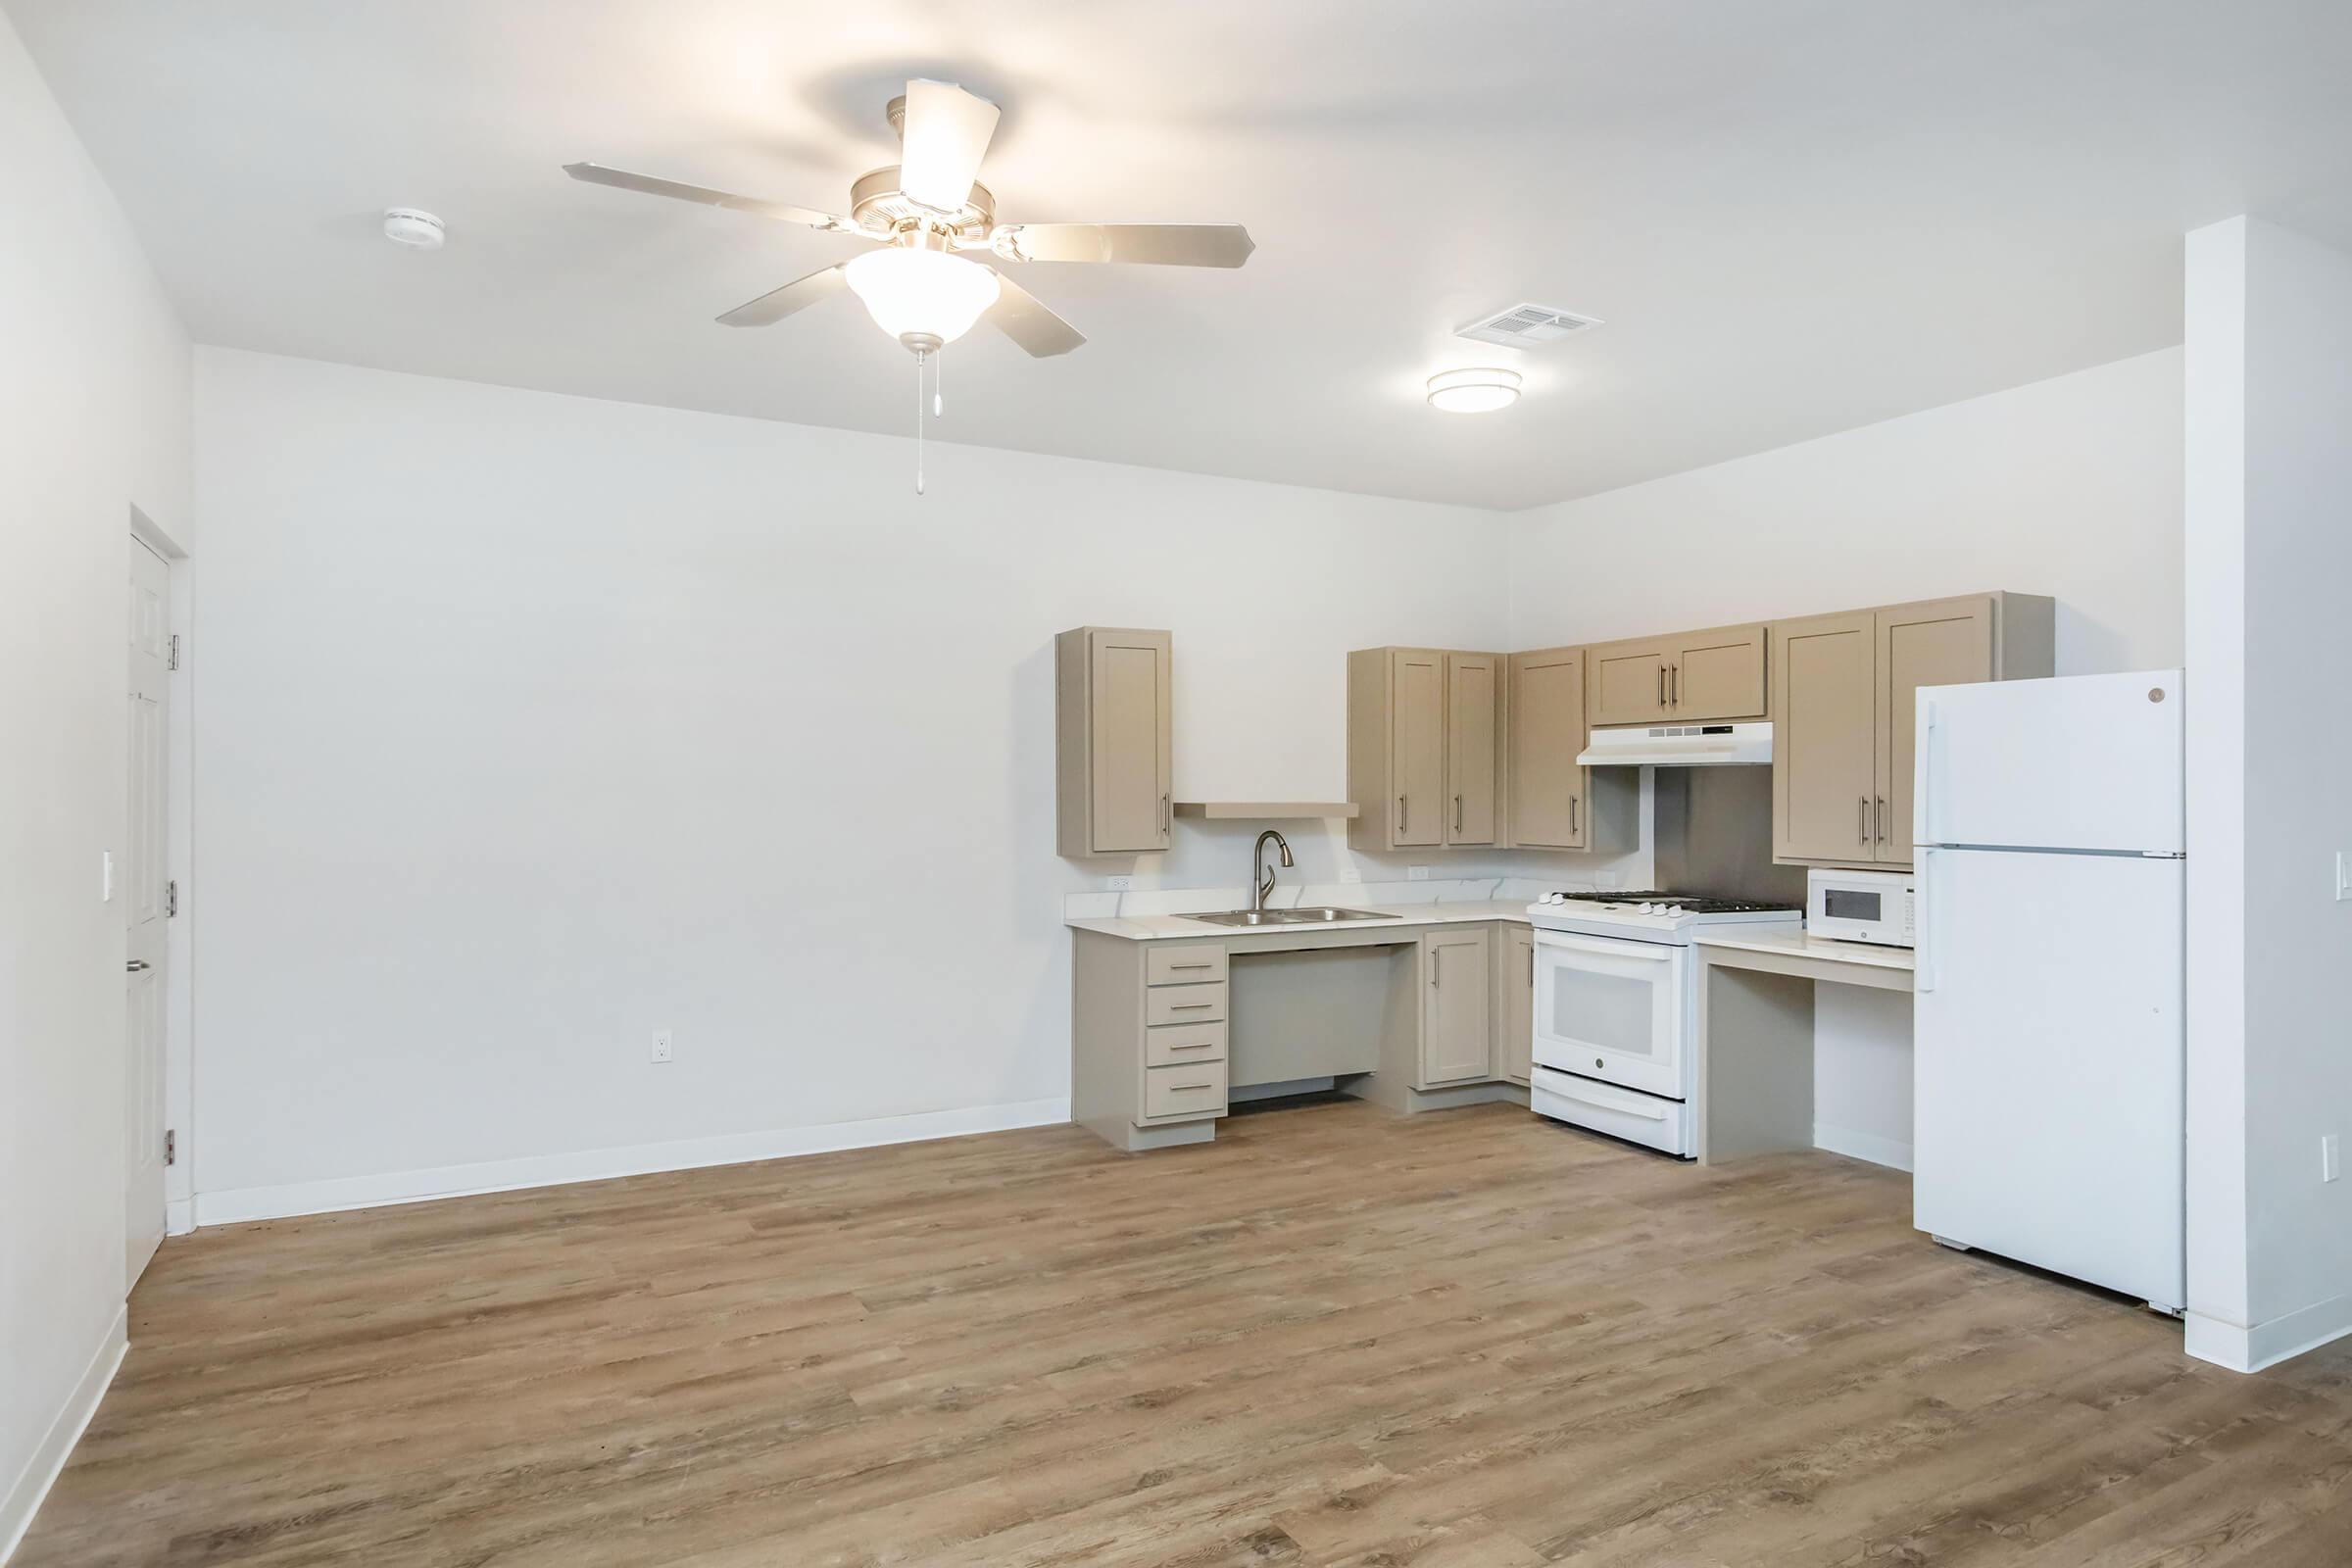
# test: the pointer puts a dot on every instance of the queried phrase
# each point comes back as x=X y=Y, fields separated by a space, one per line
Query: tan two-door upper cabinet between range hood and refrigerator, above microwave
x=1845 y=737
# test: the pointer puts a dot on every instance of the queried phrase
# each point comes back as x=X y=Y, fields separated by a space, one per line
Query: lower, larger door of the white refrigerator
x=2050 y=1064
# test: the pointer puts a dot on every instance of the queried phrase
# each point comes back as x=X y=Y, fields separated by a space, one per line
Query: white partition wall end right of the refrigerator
x=2271 y=944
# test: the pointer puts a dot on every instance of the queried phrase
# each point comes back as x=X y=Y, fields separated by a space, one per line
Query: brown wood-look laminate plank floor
x=1457 y=1341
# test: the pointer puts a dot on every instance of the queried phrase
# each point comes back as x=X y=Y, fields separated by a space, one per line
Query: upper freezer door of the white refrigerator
x=2071 y=763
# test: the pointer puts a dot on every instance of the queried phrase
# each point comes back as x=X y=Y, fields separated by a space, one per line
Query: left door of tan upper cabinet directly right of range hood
x=1824 y=775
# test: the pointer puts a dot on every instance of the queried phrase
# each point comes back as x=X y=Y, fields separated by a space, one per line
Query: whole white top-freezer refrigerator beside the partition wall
x=2050 y=1101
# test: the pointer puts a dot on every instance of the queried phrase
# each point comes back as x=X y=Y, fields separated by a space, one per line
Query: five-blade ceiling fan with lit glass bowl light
x=926 y=213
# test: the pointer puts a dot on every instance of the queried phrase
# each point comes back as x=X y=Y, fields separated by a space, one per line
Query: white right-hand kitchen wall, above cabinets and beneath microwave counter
x=2066 y=488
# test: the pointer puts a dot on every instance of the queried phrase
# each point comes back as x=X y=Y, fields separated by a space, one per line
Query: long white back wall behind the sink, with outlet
x=535 y=725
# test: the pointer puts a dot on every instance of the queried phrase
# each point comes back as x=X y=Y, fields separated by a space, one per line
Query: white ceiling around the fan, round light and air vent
x=1796 y=215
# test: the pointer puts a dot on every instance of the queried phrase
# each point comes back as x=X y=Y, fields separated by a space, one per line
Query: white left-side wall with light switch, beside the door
x=93 y=424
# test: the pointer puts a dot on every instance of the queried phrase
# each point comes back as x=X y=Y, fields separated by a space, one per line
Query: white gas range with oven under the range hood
x=1617 y=1010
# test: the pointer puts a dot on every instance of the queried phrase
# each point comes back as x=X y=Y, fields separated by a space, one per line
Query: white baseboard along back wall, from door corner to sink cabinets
x=234 y=1205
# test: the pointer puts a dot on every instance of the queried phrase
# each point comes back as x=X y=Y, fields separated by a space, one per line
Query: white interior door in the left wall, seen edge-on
x=140 y=885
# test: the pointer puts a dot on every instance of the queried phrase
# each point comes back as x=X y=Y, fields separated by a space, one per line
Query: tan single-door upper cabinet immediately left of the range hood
x=1551 y=800
